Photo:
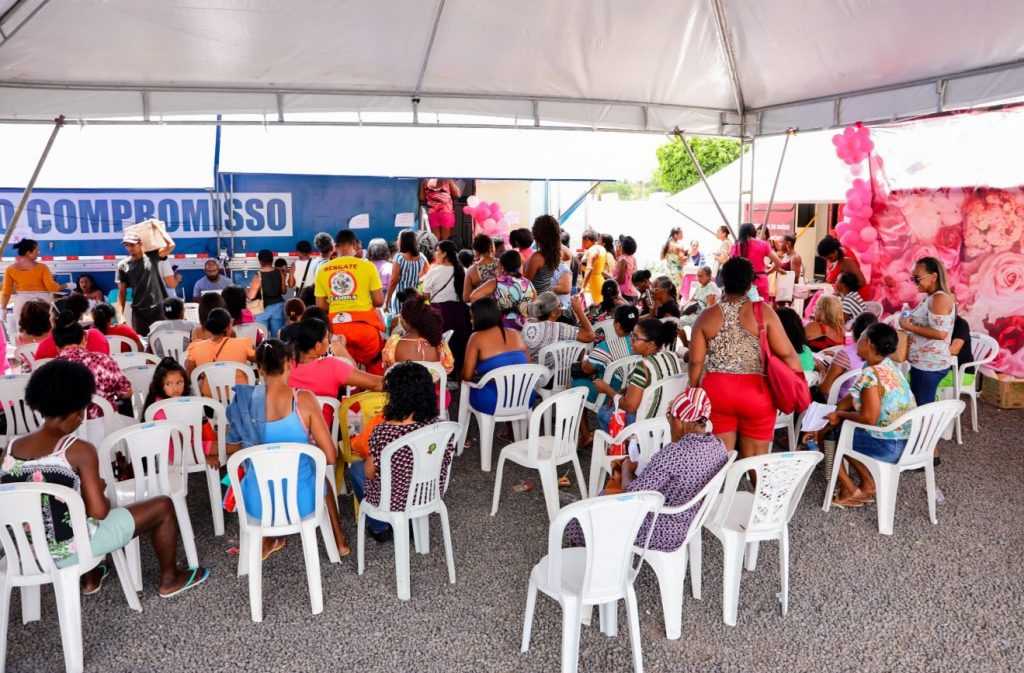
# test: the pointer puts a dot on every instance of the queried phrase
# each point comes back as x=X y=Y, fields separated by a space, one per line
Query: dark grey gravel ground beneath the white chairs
x=928 y=599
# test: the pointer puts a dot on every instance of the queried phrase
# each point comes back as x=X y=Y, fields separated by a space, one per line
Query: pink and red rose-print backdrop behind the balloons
x=979 y=235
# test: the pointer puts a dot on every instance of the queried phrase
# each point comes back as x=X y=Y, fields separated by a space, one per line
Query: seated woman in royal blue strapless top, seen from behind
x=490 y=347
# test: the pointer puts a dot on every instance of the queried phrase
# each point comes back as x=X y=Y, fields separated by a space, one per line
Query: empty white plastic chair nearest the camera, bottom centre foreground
x=600 y=574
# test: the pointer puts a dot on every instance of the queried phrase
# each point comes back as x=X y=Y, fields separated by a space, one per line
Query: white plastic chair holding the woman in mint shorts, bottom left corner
x=28 y=565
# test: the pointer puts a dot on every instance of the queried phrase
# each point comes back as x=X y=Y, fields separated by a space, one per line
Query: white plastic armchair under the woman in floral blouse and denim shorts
x=927 y=423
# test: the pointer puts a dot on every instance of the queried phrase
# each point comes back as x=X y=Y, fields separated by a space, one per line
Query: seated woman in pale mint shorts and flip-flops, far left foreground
x=61 y=392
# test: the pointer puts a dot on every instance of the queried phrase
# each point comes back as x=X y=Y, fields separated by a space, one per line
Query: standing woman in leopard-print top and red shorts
x=727 y=362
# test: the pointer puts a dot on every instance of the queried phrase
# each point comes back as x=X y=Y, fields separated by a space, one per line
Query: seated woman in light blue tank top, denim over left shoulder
x=276 y=413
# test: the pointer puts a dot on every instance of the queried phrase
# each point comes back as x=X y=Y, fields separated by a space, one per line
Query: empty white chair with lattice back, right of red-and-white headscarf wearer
x=743 y=520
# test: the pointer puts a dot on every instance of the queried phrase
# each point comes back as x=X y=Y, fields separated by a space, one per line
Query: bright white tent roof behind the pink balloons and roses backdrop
x=957 y=151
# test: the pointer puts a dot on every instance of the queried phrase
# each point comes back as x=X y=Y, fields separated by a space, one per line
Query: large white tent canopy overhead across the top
x=652 y=65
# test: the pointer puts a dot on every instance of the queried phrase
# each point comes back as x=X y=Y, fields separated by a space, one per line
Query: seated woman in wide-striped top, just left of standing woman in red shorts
x=653 y=340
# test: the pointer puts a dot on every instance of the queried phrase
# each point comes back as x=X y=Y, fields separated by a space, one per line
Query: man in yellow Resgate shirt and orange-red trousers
x=349 y=288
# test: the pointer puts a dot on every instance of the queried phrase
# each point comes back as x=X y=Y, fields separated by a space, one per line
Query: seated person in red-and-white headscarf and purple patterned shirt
x=679 y=471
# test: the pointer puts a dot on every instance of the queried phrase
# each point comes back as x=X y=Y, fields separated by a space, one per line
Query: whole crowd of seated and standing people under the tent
x=369 y=319
